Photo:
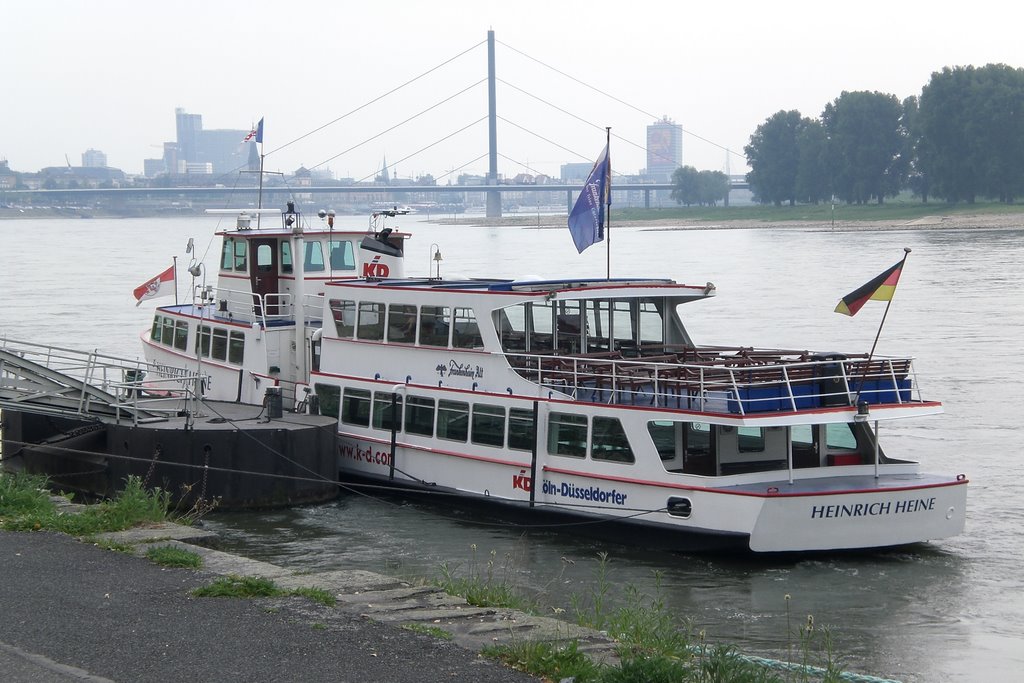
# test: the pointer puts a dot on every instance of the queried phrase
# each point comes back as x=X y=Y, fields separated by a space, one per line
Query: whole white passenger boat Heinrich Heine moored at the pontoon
x=585 y=399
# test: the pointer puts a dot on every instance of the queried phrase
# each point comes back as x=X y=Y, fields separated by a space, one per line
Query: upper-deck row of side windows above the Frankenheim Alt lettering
x=406 y=324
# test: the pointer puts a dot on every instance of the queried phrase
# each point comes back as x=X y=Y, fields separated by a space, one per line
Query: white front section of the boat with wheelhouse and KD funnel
x=242 y=334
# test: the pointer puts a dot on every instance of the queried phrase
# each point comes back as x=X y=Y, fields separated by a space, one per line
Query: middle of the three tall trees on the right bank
x=866 y=141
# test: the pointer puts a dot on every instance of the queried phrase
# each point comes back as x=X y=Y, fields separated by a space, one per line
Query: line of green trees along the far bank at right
x=962 y=140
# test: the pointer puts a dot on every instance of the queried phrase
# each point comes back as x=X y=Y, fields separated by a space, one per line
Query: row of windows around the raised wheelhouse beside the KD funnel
x=339 y=255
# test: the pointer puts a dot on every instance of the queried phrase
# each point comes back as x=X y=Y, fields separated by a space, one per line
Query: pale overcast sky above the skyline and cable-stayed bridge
x=108 y=75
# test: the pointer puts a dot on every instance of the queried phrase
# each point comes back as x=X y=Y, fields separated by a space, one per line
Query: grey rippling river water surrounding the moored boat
x=952 y=611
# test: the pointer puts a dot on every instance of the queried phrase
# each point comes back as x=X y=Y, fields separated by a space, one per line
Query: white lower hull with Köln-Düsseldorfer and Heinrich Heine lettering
x=841 y=513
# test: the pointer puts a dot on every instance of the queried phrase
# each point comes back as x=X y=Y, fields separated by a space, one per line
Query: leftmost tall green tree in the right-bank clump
x=775 y=158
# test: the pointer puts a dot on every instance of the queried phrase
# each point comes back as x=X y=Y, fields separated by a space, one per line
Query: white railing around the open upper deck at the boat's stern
x=730 y=381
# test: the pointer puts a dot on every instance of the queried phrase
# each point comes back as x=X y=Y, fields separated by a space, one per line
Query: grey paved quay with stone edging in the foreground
x=75 y=612
